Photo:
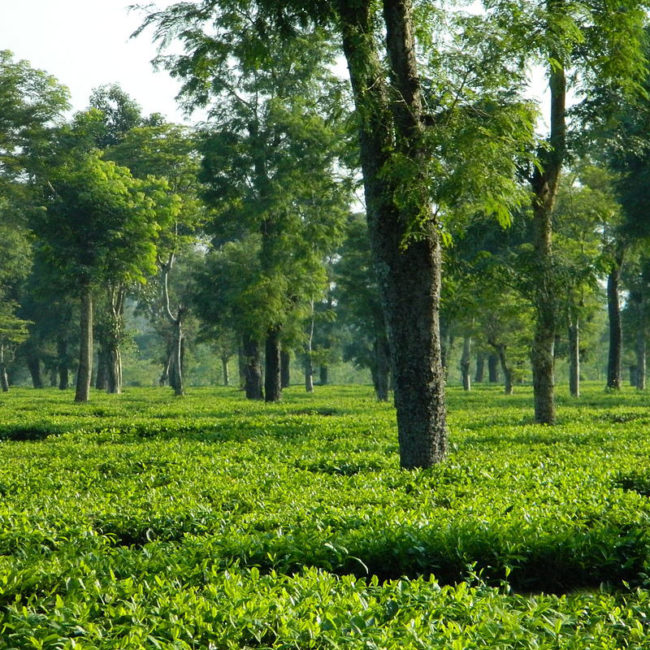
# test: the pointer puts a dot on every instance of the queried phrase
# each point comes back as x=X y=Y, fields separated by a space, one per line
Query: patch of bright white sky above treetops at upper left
x=85 y=44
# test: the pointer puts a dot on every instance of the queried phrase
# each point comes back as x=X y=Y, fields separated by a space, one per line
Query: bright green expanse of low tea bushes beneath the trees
x=144 y=521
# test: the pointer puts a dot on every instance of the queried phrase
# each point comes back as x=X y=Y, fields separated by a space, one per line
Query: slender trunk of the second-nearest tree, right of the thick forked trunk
x=544 y=185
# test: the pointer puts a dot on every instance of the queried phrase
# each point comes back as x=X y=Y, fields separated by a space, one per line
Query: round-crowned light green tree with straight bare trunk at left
x=100 y=226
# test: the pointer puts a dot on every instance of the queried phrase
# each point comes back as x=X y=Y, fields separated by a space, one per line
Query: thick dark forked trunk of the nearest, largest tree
x=408 y=272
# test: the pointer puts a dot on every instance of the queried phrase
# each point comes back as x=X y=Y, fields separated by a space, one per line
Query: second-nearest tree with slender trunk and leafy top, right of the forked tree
x=582 y=42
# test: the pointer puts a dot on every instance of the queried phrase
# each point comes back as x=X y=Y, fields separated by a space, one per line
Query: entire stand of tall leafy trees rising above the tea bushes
x=487 y=245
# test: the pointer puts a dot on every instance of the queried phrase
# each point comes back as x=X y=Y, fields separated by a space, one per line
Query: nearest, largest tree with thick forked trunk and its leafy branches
x=403 y=149
